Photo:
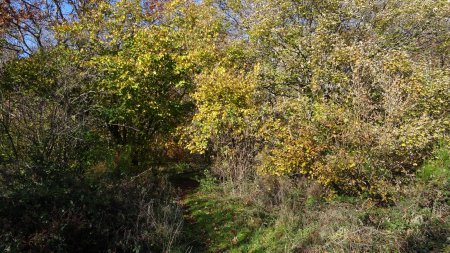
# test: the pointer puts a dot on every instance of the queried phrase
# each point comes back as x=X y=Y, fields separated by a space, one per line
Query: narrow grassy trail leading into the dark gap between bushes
x=213 y=222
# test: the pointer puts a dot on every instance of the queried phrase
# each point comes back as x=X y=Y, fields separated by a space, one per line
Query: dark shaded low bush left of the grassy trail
x=83 y=215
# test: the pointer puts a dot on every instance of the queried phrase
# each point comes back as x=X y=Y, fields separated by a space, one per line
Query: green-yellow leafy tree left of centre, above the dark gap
x=136 y=63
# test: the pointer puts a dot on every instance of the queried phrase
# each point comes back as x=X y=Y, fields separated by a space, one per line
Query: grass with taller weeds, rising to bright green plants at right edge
x=218 y=221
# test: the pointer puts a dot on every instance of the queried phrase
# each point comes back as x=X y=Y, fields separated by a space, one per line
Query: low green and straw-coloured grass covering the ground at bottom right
x=217 y=223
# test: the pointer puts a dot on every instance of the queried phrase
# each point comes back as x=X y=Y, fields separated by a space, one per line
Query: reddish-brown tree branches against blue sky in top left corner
x=28 y=24
